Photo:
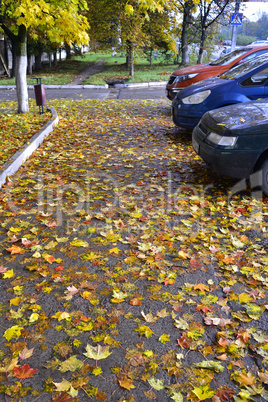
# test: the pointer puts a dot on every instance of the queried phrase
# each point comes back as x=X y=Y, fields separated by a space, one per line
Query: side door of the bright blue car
x=254 y=86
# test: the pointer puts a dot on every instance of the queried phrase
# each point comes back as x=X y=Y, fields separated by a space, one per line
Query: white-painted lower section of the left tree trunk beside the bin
x=21 y=84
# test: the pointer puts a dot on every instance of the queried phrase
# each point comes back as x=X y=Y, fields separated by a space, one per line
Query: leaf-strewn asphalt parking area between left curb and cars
x=129 y=271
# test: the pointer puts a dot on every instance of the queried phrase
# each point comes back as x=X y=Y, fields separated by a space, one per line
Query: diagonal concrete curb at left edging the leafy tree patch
x=15 y=162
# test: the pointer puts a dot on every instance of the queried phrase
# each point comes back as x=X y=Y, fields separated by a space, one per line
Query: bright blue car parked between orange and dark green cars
x=242 y=83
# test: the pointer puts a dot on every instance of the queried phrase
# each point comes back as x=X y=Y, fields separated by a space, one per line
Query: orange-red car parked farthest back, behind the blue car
x=188 y=75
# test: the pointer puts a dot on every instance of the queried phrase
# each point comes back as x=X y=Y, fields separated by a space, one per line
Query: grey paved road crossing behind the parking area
x=156 y=92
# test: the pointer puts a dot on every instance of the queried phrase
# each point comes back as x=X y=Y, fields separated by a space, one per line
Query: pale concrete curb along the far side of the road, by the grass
x=136 y=85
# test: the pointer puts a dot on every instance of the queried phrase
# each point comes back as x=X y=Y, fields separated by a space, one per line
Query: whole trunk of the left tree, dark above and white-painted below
x=21 y=70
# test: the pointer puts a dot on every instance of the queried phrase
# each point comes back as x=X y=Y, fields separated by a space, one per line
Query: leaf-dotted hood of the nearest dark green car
x=242 y=117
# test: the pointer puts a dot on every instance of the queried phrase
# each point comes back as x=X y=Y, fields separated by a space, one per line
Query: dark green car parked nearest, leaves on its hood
x=233 y=141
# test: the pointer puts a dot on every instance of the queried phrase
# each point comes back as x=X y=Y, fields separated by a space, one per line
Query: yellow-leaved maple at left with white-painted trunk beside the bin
x=61 y=19
